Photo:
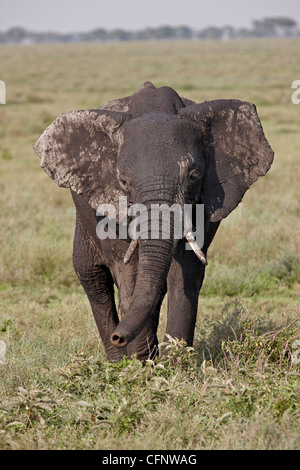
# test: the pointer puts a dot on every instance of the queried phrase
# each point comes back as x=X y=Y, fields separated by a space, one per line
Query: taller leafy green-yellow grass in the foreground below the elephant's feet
x=182 y=401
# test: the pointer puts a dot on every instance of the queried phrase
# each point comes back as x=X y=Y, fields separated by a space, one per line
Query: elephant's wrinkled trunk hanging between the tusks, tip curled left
x=155 y=257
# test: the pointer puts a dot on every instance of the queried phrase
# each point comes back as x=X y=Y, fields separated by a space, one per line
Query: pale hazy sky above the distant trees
x=84 y=15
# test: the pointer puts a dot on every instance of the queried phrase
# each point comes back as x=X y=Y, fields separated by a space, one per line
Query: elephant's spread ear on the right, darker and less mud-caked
x=237 y=152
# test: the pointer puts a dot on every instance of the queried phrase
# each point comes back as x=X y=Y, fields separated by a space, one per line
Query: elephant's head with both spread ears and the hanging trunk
x=155 y=147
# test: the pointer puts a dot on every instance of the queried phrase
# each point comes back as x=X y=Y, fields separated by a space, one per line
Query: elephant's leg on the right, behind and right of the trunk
x=184 y=281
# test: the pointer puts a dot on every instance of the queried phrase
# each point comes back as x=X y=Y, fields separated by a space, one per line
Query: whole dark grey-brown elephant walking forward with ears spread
x=152 y=147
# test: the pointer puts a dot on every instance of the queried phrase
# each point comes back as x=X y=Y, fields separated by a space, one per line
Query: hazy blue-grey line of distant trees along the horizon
x=265 y=28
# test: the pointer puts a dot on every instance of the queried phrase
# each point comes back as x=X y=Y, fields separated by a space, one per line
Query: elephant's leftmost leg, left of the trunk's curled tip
x=98 y=284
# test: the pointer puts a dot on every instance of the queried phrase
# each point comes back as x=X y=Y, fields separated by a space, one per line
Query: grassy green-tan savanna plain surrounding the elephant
x=238 y=388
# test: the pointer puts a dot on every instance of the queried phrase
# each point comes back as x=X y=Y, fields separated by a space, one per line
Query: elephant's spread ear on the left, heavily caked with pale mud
x=79 y=151
